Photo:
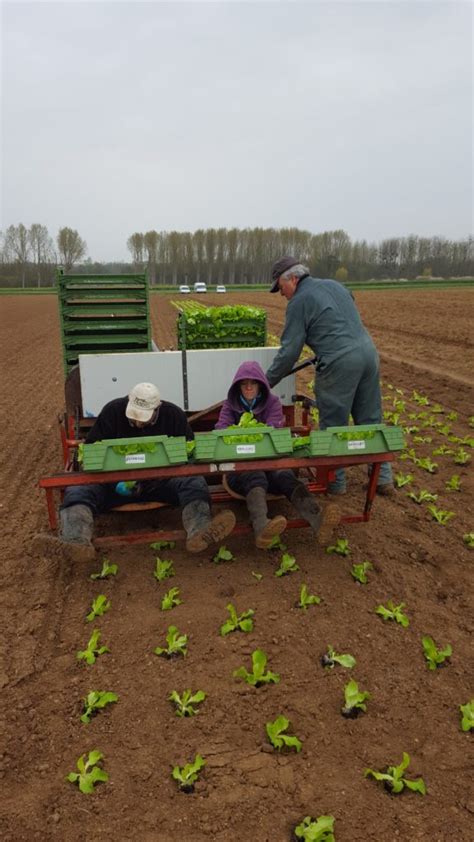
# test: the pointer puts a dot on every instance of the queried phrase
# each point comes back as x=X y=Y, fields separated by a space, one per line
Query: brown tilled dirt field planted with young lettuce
x=247 y=793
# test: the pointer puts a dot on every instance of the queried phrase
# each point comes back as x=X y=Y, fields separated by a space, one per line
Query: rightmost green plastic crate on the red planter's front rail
x=349 y=441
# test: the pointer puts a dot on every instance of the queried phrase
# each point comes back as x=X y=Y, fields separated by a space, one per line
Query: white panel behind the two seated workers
x=210 y=373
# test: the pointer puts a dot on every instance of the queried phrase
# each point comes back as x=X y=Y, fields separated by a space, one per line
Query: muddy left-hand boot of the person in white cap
x=75 y=539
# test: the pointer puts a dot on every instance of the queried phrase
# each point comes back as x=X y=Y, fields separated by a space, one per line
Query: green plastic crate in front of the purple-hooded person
x=211 y=447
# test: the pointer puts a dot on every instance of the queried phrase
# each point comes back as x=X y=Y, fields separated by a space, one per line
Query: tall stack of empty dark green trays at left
x=102 y=314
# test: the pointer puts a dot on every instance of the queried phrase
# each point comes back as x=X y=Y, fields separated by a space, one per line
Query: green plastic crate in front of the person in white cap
x=101 y=455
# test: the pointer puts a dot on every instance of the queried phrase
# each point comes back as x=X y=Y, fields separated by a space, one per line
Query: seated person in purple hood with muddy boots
x=250 y=392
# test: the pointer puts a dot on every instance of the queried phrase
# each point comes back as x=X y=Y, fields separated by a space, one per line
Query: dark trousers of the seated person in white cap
x=101 y=498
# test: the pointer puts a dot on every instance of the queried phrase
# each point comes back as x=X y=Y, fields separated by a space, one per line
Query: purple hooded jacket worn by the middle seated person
x=268 y=410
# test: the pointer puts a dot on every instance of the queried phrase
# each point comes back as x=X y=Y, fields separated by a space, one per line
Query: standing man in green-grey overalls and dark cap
x=322 y=314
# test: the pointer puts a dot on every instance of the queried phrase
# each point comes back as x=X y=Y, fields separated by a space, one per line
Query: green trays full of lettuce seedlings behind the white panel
x=222 y=327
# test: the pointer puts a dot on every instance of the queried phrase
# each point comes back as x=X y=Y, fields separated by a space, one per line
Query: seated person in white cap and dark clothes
x=142 y=413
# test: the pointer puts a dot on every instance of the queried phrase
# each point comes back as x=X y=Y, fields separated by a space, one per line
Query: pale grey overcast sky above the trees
x=130 y=116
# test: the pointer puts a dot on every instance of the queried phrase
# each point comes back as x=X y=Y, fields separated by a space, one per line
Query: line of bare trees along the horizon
x=29 y=256
